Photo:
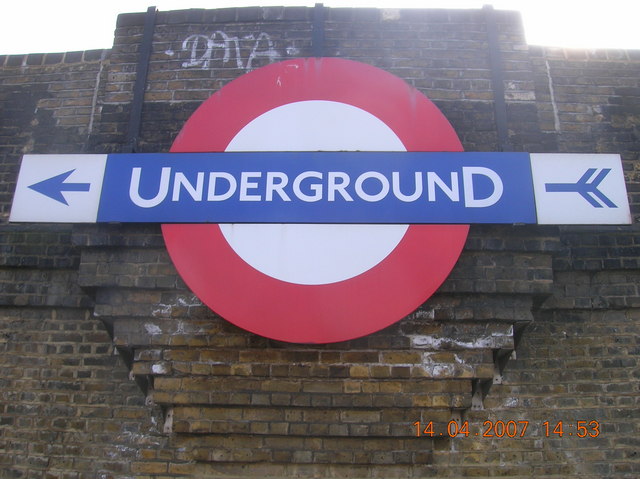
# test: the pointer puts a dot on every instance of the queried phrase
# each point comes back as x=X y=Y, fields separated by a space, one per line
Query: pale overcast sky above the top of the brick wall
x=30 y=26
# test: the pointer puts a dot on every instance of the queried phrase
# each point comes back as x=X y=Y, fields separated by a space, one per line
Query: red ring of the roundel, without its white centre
x=330 y=312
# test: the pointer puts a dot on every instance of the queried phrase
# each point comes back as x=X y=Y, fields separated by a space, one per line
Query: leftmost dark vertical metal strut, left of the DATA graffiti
x=144 y=55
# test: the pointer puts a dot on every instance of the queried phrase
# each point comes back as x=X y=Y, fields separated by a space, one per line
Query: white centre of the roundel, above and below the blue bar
x=314 y=253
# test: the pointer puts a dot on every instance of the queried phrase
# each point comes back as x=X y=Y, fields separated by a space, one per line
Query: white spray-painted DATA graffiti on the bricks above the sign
x=202 y=49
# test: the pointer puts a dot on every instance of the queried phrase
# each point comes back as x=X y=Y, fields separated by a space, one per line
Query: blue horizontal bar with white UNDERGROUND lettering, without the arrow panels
x=318 y=187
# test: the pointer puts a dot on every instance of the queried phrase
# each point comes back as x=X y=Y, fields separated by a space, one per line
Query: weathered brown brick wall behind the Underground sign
x=110 y=367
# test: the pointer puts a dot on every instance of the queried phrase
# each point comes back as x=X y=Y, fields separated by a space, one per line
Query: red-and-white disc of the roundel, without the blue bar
x=318 y=283
